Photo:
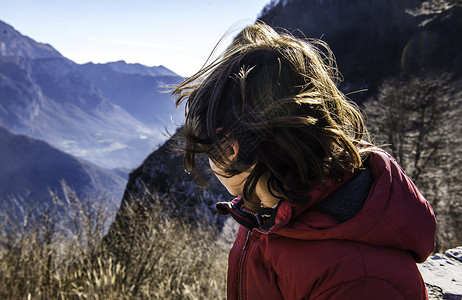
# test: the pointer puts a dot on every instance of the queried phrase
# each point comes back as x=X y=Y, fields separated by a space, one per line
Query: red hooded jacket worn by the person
x=303 y=253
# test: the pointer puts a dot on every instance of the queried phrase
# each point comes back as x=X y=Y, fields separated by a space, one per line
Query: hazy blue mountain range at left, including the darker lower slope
x=52 y=109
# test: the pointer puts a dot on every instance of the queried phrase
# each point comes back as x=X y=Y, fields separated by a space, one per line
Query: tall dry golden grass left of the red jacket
x=55 y=250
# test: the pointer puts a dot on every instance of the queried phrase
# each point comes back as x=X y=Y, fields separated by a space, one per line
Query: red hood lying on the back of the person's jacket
x=394 y=214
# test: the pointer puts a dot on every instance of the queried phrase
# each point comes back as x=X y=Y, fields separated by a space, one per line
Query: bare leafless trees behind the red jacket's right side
x=417 y=119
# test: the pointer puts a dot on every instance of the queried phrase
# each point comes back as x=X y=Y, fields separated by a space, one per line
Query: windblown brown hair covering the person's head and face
x=277 y=97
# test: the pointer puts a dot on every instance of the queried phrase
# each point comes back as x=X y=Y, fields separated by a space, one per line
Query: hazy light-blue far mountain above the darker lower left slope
x=112 y=115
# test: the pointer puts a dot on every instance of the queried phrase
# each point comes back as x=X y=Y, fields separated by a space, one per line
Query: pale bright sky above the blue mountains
x=178 y=34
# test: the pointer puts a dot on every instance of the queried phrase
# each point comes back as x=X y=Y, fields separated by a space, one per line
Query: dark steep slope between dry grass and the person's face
x=162 y=175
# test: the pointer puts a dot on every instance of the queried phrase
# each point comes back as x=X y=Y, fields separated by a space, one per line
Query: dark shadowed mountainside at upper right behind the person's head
x=373 y=40
